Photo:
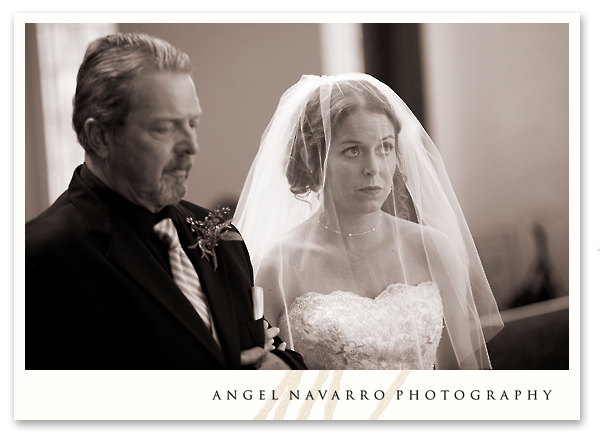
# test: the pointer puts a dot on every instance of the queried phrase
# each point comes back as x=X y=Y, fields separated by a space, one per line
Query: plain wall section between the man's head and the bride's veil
x=240 y=72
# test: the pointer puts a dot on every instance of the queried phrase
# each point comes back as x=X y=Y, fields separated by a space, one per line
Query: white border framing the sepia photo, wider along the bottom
x=202 y=395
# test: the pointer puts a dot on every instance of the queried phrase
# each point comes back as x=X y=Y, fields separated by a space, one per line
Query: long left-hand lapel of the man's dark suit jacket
x=127 y=252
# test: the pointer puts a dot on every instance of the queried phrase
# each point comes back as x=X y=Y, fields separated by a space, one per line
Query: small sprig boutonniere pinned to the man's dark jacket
x=210 y=231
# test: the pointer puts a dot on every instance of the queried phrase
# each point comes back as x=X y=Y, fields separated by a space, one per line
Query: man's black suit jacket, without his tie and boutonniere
x=96 y=298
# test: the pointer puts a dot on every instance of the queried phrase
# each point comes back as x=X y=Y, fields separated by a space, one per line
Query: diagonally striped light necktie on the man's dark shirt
x=184 y=274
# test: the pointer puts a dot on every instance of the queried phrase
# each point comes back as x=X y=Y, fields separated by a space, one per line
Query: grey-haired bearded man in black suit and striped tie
x=103 y=290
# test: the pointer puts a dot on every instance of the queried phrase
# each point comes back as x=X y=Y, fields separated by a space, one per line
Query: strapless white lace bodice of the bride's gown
x=400 y=329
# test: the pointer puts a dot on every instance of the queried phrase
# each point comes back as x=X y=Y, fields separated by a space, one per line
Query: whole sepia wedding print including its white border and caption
x=307 y=196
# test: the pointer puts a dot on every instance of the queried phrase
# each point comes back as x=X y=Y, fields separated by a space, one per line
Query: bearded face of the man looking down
x=151 y=155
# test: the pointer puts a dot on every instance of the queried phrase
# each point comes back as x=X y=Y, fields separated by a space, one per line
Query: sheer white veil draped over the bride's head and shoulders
x=299 y=237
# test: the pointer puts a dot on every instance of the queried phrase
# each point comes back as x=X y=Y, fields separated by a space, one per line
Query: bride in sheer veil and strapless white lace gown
x=357 y=238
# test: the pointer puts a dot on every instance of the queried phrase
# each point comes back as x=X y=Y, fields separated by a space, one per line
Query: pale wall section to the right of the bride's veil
x=497 y=100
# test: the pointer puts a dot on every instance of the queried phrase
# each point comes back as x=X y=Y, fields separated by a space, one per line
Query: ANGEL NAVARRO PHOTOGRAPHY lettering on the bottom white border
x=399 y=395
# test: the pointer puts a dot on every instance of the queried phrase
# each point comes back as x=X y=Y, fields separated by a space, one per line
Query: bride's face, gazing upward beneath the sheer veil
x=361 y=162
